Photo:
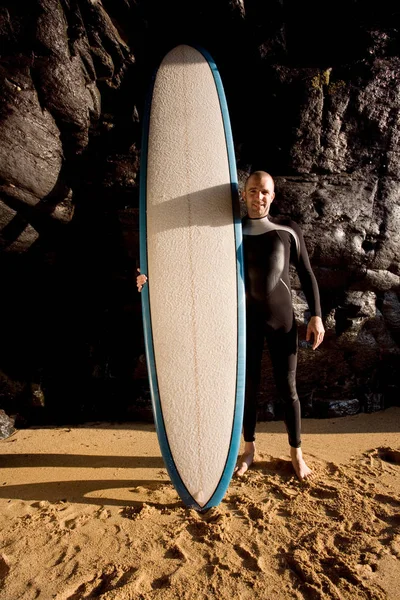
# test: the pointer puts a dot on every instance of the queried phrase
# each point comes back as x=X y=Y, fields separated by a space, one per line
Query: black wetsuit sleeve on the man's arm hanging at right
x=309 y=285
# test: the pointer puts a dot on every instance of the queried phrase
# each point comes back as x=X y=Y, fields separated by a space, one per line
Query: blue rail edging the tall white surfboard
x=225 y=479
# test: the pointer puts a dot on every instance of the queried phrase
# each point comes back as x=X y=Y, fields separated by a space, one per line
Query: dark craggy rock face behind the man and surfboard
x=313 y=99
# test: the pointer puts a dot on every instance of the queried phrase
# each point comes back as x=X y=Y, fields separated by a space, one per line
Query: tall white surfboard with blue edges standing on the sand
x=193 y=304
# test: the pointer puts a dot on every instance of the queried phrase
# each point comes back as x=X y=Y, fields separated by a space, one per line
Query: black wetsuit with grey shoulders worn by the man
x=269 y=248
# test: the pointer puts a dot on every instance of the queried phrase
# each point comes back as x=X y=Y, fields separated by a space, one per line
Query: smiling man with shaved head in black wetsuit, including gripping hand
x=269 y=248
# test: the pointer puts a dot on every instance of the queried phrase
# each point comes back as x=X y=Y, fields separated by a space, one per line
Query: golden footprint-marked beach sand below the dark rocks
x=89 y=512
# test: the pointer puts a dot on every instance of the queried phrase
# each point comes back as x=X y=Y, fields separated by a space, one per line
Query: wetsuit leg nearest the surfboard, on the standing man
x=254 y=348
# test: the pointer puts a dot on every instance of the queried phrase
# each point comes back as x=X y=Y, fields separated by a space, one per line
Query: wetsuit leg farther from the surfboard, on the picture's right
x=283 y=352
